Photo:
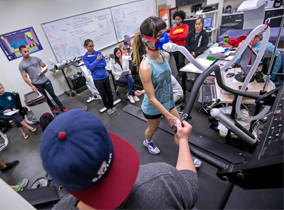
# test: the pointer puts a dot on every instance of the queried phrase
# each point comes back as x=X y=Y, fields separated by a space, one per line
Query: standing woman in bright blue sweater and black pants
x=96 y=63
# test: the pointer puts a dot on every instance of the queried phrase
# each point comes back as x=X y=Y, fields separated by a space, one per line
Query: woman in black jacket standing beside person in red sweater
x=197 y=39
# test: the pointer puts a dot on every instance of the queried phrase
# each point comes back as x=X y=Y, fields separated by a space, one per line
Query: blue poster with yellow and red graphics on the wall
x=10 y=42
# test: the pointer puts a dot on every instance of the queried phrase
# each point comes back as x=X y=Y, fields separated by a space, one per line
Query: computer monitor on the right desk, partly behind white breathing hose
x=244 y=64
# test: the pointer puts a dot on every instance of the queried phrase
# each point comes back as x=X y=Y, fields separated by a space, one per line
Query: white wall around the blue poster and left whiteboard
x=19 y=14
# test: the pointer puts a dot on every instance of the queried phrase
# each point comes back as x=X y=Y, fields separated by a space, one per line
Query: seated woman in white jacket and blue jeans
x=121 y=64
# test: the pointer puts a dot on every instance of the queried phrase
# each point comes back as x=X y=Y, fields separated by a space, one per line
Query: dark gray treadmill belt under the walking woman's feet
x=212 y=191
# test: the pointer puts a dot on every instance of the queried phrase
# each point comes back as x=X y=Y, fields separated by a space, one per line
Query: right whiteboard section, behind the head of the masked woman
x=127 y=18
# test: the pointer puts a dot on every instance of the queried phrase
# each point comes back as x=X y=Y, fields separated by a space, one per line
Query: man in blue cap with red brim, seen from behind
x=101 y=170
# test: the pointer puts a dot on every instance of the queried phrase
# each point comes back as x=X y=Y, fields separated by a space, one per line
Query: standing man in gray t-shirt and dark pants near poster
x=32 y=66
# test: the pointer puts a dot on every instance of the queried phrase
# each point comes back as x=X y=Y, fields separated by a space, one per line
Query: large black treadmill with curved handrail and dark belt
x=229 y=177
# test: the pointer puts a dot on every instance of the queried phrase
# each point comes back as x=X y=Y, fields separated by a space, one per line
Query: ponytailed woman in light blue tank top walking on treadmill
x=155 y=75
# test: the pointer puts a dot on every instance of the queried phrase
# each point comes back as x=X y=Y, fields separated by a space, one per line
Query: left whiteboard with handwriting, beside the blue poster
x=66 y=36
